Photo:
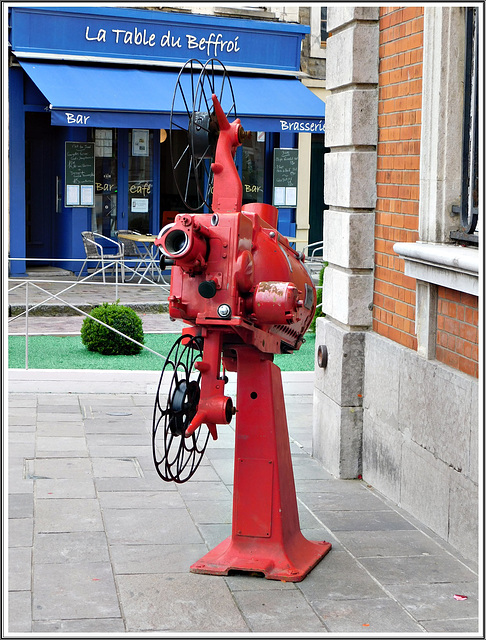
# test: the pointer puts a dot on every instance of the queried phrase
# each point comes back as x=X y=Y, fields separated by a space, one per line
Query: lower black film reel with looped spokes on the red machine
x=177 y=457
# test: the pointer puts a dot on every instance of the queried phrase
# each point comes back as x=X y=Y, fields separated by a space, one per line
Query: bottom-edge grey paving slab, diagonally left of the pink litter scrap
x=366 y=616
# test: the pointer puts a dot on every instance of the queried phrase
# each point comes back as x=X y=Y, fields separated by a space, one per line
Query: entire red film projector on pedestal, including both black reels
x=245 y=295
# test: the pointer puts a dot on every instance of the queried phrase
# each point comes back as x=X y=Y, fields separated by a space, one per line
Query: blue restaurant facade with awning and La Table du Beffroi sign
x=91 y=90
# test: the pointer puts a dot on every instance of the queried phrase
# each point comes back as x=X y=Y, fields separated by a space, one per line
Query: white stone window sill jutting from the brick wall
x=442 y=264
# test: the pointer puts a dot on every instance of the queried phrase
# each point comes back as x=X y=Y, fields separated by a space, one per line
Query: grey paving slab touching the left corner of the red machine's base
x=155 y=558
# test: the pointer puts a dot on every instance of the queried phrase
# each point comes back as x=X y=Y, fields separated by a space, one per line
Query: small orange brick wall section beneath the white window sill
x=457 y=330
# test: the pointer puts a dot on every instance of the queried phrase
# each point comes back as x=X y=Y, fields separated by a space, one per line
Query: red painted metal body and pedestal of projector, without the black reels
x=240 y=285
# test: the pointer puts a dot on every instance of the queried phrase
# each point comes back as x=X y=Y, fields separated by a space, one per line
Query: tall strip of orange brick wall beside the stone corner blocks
x=398 y=164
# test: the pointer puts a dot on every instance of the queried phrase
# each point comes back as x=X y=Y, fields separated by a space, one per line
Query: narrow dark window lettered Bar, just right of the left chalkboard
x=106 y=182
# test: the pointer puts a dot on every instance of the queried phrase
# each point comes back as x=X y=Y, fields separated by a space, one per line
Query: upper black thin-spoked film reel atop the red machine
x=193 y=114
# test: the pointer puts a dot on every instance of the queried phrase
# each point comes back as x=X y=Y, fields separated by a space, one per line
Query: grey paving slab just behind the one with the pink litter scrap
x=418 y=570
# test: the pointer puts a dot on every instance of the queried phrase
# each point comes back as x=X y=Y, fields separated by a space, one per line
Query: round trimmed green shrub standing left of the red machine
x=97 y=337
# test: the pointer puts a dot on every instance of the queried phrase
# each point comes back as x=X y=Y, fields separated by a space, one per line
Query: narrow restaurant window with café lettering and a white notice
x=140 y=179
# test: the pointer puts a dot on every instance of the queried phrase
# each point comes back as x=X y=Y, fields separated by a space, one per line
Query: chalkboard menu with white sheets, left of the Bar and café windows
x=80 y=174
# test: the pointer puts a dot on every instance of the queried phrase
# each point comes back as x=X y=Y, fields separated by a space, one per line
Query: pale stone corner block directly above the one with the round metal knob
x=348 y=297
